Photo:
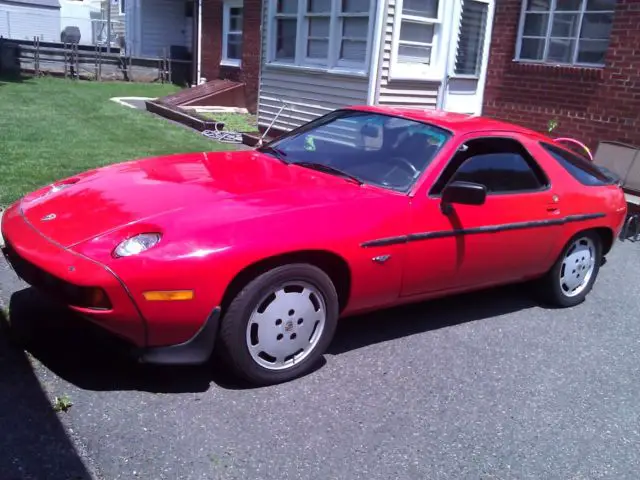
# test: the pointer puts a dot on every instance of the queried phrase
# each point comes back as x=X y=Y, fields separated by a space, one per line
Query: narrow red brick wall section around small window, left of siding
x=249 y=70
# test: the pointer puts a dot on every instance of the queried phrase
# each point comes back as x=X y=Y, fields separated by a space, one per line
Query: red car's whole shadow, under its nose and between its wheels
x=91 y=359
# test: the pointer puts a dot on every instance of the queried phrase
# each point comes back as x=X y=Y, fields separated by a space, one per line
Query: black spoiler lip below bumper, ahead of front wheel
x=194 y=351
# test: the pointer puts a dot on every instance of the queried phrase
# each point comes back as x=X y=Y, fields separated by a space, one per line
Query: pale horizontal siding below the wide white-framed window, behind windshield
x=308 y=95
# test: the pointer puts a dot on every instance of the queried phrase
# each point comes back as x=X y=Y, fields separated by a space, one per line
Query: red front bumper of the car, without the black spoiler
x=60 y=272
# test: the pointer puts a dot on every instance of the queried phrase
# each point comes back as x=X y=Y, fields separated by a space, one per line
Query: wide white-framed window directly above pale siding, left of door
x=328 y=34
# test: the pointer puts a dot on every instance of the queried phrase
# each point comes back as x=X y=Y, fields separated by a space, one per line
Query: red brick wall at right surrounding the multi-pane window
x=589 y=104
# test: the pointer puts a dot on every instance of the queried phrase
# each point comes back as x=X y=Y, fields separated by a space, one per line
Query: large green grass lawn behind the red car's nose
x=52 y=128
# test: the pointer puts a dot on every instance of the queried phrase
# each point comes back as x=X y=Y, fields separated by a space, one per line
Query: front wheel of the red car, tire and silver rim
x=261 y=328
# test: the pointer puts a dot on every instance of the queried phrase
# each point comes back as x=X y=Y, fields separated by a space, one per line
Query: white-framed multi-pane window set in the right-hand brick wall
x=574 y=32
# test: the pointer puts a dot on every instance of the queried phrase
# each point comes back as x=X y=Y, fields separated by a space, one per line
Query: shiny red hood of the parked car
x=232 y=185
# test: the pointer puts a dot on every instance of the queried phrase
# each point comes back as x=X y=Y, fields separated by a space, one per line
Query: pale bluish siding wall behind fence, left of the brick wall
x=163 y=25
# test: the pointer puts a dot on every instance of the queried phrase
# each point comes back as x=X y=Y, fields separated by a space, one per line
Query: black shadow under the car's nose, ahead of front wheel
x=84 y=355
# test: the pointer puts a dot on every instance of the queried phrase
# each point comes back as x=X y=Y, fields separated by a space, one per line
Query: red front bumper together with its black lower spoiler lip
x=61 y=272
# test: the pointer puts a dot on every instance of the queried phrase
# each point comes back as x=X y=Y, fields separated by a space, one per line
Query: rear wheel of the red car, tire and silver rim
x=583 y=251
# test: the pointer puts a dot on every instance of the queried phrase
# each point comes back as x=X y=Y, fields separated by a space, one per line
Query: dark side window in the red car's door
x=502 y=165
